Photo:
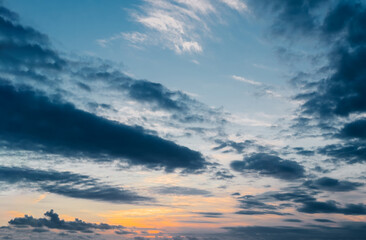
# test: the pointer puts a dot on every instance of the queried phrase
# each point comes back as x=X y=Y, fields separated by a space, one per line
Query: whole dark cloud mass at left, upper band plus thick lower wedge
x=42 y=122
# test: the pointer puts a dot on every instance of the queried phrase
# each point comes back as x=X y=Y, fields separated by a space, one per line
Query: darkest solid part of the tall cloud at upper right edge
x=343 y=91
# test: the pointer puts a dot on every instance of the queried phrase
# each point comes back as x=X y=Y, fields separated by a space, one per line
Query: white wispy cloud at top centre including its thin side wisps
x=178 y=25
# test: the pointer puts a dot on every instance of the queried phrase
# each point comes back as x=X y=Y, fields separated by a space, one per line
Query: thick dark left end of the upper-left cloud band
x=24 y=51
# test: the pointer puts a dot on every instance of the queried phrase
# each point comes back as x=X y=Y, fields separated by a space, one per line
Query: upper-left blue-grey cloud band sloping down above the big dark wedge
x=28 y=54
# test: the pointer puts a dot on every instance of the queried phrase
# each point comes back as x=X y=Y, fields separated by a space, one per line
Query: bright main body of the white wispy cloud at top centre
x=174 y=22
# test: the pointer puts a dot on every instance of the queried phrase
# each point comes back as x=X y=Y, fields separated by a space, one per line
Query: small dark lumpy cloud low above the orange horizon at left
x=52 y=221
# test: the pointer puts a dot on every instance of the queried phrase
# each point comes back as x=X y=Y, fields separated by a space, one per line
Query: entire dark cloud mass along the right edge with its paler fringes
x=333 y=93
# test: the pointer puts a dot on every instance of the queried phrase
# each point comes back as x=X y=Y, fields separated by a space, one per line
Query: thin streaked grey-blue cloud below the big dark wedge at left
x=68 y=184
